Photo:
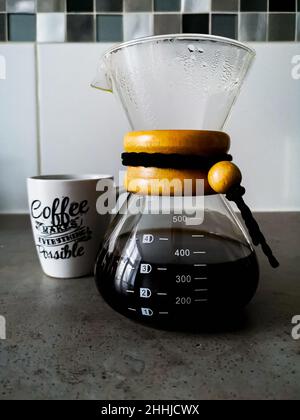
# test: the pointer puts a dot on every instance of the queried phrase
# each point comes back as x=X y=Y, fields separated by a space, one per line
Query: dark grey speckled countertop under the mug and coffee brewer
x=64 y=342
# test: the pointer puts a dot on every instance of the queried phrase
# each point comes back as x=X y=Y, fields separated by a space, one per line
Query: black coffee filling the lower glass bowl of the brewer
x=171 y=276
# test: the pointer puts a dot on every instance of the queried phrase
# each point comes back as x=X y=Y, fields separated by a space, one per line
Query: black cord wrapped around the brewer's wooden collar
x=175 y=161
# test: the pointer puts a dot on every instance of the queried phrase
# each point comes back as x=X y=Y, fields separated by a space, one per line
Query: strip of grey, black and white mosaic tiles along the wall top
x=105 y=20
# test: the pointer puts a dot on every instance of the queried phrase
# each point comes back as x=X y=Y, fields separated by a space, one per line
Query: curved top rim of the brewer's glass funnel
x=195 y=37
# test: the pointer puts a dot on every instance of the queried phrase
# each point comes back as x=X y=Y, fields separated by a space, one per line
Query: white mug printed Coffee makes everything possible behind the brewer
x=67 y=229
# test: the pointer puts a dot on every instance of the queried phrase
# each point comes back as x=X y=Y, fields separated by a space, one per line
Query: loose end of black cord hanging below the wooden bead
x=236 y=195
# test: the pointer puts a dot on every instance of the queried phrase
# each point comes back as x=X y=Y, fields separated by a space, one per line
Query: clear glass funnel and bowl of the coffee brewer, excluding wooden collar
x=167 y=261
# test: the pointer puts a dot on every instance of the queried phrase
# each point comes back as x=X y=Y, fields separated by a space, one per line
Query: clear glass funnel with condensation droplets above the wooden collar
x=176 y=81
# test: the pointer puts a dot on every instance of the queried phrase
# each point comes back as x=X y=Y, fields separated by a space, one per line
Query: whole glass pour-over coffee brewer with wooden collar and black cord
x=166 y=262
